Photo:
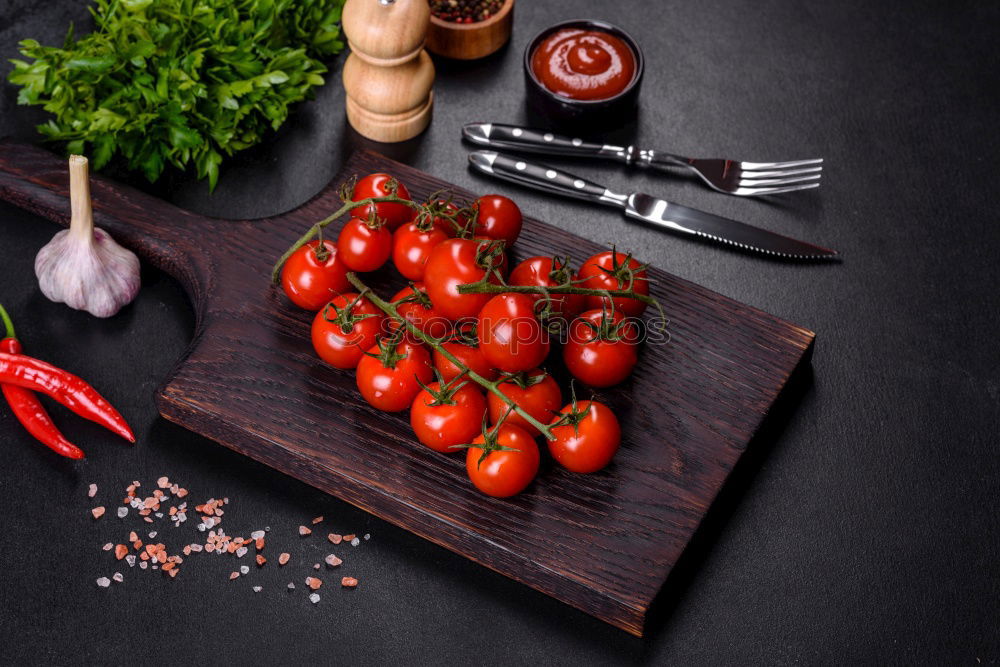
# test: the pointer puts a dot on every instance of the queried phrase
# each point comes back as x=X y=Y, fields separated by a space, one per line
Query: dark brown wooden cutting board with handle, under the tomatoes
x=603 y=543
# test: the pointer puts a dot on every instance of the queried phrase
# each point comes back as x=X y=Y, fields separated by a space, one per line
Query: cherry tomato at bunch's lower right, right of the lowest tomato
x=587 y=438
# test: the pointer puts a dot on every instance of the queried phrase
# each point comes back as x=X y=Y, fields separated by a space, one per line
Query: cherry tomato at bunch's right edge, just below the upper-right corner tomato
x=601 y=350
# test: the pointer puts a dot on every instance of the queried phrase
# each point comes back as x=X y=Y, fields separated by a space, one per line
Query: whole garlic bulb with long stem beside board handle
x=82 y=266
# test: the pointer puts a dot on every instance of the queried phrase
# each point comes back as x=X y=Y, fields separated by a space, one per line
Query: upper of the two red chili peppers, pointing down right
x=68 y=389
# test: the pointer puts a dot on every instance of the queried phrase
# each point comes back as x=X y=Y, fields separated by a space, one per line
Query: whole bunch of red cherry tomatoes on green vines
x=498 y=338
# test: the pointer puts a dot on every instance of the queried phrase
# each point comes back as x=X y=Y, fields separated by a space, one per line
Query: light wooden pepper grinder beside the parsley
x=388 y=76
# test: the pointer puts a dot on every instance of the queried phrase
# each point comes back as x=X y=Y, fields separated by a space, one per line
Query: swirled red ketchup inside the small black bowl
x=583 y=64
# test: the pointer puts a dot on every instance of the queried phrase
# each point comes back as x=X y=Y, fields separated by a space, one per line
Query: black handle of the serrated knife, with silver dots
x=541 y=177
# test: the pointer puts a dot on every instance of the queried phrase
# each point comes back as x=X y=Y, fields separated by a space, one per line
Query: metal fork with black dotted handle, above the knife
x=732 y=177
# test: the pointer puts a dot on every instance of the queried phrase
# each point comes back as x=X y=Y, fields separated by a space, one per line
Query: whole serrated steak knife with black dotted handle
x=653 y=211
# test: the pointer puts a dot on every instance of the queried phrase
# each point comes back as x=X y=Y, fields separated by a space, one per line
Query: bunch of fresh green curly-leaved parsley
x=179 y=82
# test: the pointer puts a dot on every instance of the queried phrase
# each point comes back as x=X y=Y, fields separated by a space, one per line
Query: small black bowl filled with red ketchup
x=584 y=71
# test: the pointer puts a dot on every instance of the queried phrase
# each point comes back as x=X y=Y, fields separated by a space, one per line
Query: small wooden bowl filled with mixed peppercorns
x=469 y=29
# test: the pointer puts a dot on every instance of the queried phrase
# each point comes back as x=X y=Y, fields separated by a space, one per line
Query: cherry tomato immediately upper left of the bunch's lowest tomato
x=444 y=417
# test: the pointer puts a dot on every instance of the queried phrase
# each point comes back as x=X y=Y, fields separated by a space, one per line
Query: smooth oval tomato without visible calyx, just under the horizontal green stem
x=510 y=336
